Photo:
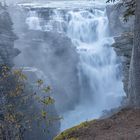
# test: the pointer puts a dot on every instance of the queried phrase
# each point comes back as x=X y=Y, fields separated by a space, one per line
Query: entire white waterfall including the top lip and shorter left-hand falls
x=86 y=24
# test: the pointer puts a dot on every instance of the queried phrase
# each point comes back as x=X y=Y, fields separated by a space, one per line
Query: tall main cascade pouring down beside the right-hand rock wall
x=101 y=85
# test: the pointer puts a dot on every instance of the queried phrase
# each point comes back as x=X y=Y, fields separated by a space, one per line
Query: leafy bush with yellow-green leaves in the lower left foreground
x=19 y=110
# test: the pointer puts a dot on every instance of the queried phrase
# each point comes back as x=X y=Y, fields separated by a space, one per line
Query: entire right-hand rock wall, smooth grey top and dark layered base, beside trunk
x=123 y=32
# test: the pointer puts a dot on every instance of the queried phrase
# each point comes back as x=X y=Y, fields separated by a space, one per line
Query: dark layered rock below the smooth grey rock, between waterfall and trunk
x=123 y=47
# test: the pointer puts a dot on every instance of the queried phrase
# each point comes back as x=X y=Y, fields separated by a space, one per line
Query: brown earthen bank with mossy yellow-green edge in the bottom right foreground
x=124 y=125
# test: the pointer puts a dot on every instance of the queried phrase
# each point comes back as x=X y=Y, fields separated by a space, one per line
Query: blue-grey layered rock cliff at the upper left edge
x=7 y=38
